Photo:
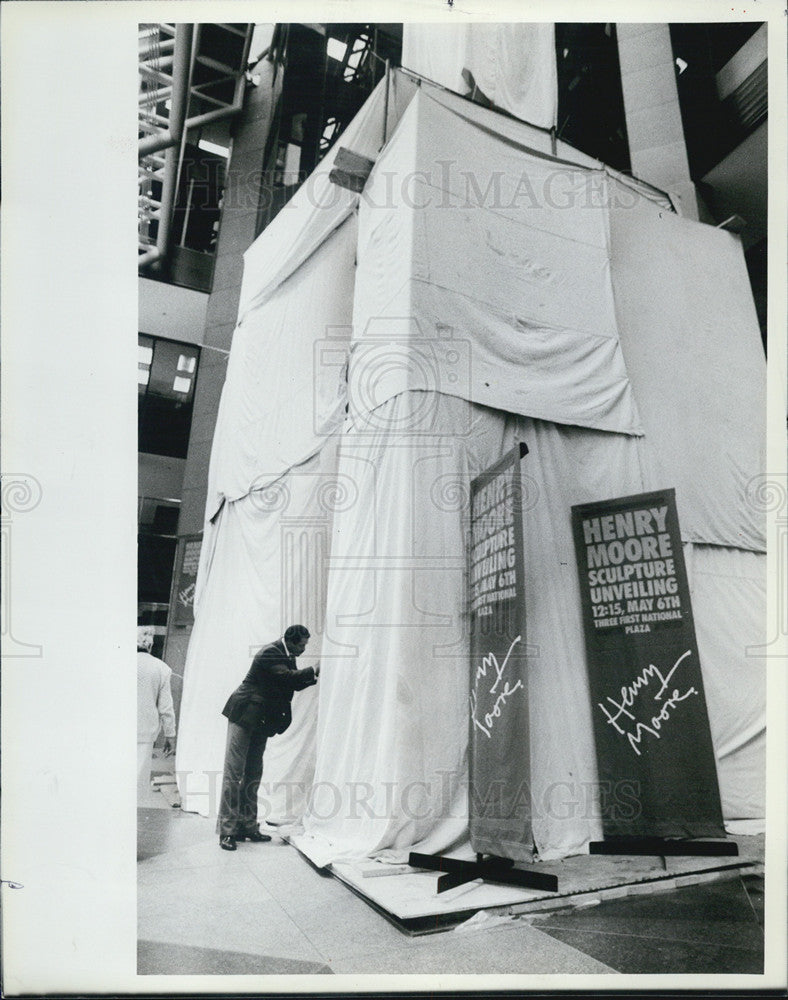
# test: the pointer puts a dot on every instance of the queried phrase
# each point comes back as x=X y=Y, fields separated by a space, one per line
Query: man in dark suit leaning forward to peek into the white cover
x=259 y=708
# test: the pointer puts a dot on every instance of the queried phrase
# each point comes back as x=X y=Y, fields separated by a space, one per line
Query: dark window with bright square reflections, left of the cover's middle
x=167 y=372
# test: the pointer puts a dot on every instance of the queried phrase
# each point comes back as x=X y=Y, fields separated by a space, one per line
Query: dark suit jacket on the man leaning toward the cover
x=264 y=697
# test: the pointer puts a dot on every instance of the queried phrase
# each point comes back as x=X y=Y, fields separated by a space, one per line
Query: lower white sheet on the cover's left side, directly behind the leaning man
x=268 y=569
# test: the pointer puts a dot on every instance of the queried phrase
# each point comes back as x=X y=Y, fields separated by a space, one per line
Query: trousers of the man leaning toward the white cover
x=243 y=770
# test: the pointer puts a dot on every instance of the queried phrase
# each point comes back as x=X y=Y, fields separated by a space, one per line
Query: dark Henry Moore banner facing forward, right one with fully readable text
x=651 y=727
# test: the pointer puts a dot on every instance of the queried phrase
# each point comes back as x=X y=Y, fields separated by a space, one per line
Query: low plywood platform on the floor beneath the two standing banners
x=408 y=896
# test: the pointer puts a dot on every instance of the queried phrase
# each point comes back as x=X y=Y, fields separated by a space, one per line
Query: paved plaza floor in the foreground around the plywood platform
x=266 y=910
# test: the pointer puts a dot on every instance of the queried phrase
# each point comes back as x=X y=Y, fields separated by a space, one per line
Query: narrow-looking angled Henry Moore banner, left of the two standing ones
x=499 y=750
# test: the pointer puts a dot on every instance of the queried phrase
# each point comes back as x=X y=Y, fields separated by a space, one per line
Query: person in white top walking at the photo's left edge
x=154 y=708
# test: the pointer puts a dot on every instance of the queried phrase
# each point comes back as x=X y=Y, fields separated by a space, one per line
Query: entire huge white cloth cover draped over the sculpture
x=387 y=742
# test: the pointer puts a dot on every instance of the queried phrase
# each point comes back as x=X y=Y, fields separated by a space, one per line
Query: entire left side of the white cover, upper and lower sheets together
x=273 y=486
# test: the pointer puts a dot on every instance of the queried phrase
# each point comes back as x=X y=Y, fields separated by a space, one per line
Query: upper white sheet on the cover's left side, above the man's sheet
x=285 y=391
